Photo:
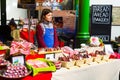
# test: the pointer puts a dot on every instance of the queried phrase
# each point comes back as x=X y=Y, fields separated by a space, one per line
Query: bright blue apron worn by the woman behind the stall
x=49 y=37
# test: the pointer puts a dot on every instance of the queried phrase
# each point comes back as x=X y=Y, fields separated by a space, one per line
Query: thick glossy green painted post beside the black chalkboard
x=82 y=34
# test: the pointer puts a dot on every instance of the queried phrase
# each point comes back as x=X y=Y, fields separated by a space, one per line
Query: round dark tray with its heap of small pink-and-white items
x=14 y=71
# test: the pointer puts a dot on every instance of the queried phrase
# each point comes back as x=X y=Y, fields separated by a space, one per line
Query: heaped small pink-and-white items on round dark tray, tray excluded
x=15 y=71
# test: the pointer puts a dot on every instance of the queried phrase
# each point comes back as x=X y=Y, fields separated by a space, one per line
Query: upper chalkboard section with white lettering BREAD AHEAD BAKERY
x=101 y=14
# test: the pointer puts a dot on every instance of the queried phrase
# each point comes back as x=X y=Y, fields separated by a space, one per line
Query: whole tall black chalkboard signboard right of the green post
x=101 y=19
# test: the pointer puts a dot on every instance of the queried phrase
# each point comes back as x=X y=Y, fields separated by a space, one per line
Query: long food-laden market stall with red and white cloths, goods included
x=22 y=60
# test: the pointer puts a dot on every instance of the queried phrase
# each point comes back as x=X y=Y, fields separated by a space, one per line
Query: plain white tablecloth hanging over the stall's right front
x=103 y=71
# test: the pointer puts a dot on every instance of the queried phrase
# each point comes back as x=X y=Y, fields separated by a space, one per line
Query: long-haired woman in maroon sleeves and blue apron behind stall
x=46 y=32
